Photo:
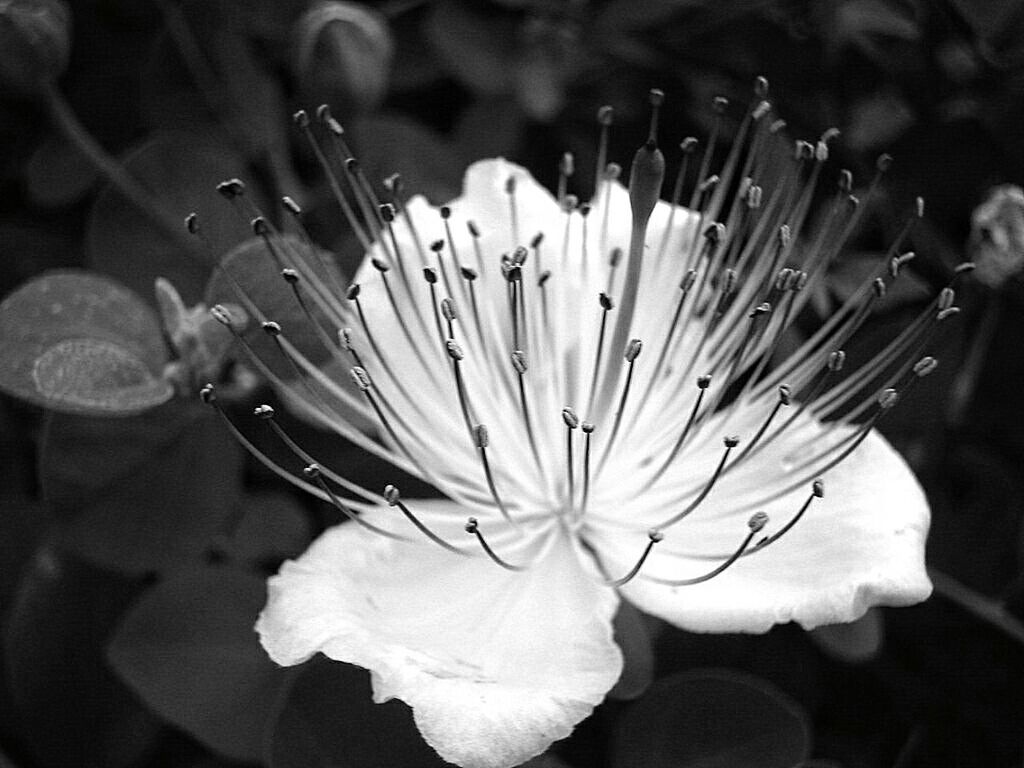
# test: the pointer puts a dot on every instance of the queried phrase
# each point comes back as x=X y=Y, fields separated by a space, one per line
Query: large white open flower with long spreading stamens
x=602 y=396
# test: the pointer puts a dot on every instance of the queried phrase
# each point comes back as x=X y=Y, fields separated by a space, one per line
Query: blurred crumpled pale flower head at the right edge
x=998 y=236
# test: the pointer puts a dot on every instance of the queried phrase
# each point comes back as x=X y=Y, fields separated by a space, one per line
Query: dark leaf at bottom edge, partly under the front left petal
x=331 y=721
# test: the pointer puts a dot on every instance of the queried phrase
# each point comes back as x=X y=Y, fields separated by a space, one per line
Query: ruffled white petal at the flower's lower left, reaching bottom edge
x=496 y=665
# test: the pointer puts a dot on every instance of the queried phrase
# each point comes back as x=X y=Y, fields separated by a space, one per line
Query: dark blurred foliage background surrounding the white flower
x=136 y=537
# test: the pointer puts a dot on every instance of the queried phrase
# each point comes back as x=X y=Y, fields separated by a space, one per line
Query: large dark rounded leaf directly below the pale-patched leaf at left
x=144 y=494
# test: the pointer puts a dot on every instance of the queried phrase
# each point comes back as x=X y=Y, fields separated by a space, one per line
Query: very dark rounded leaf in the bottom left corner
x=67 y=703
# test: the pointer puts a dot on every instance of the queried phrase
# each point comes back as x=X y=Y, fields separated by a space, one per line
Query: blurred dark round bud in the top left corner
x=35 y=42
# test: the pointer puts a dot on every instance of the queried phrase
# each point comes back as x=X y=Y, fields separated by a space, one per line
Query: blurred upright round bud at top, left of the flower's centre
x=344 y=53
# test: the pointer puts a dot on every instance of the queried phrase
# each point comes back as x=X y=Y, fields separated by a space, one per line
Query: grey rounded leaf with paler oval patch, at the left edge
x=80 y=344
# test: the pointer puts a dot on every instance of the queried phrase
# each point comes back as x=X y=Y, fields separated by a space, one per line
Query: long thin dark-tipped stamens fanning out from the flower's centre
x=468 y=326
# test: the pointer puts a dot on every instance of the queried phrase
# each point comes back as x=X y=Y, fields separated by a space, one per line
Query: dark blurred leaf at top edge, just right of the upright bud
x=479 y=50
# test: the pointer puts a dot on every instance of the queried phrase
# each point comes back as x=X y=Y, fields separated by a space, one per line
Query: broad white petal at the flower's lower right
x=862 y=545
